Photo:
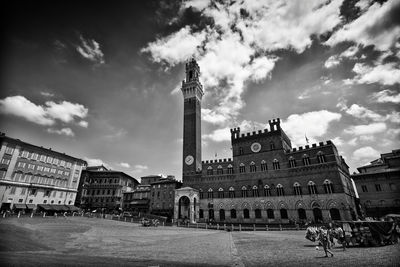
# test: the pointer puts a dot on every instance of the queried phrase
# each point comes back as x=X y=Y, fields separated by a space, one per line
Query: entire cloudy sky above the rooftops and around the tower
x=100 y=81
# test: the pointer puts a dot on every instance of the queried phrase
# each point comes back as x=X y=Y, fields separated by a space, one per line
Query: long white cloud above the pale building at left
x=46 y=114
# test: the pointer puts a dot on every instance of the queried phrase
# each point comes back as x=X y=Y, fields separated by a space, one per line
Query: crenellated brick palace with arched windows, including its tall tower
x=266 y=180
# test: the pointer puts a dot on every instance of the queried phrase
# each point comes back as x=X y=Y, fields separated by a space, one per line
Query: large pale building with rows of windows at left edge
x=34 y=177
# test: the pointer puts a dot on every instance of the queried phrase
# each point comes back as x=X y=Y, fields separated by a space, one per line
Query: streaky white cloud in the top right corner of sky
x=371 y=28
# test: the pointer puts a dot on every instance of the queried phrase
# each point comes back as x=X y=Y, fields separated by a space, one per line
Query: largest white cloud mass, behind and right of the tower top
x=239 y=48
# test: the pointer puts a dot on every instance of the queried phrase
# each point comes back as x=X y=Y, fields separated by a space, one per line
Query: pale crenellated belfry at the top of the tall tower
x=191 y=86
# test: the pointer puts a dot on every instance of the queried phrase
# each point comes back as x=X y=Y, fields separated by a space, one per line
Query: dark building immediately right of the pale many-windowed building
x=103 y=189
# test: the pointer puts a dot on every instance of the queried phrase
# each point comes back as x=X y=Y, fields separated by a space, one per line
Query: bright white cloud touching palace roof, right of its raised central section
x=314 y=124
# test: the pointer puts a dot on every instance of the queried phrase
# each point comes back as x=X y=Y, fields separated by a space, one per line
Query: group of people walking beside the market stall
x=325 y=236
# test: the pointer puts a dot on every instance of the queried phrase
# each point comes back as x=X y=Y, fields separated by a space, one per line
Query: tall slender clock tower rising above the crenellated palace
x=192 y=93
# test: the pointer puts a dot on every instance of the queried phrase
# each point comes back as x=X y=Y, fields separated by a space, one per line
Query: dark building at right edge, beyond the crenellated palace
x=378 y=185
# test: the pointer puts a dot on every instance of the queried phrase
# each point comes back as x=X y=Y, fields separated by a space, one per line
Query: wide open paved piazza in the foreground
x=98 y=242
